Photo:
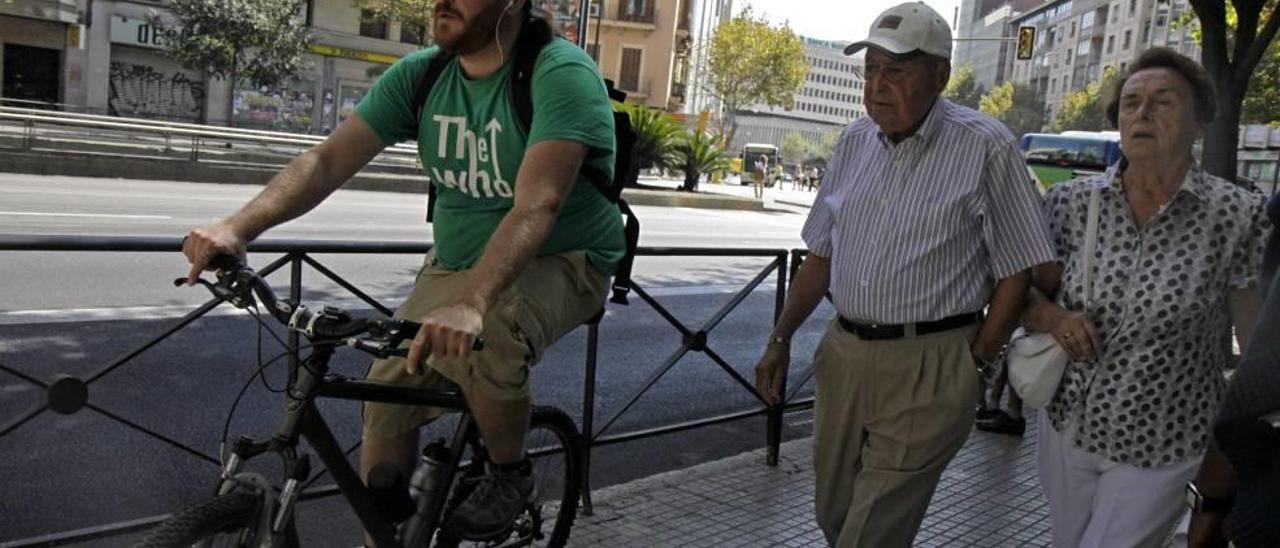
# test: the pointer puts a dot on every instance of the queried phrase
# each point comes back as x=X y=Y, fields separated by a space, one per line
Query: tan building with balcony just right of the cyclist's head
x=644 y=48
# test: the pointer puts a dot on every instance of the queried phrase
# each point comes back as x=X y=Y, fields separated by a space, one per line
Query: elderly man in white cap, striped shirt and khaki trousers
x=924 y=232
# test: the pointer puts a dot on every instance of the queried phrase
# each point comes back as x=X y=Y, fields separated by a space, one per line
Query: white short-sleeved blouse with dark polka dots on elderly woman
x=1162 y=308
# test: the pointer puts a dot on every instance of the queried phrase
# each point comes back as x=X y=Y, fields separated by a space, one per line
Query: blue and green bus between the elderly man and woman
x=1054 y=158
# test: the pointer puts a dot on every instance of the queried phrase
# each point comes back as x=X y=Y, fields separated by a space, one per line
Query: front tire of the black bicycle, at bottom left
x=226 y=514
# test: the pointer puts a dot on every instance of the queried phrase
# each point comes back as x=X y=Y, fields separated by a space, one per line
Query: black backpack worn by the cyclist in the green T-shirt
x=528 y=47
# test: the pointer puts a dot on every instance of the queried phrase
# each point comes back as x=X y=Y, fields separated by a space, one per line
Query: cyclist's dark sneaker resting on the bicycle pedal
x=496 y=501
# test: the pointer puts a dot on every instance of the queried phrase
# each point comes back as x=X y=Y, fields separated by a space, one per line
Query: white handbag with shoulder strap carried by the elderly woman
x=1036 y=360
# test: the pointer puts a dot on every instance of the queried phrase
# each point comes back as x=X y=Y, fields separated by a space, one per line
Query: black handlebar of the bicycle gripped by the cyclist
x=237 y=284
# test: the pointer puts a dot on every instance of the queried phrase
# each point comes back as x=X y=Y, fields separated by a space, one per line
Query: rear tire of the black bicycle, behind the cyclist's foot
x=559 y=477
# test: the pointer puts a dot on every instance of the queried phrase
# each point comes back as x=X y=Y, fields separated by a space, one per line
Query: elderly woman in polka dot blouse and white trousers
x=1176 y=266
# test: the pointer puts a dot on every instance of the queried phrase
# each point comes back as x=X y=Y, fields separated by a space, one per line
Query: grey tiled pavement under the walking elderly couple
x=989 y=497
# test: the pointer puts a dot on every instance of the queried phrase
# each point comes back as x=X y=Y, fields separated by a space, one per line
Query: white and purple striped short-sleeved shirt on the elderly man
x=922 y=230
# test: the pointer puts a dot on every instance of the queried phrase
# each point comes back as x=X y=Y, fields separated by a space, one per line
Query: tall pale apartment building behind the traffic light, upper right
x=1078 y=42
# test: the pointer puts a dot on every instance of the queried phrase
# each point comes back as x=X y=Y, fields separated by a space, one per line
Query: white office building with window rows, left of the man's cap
x=830 y=99
